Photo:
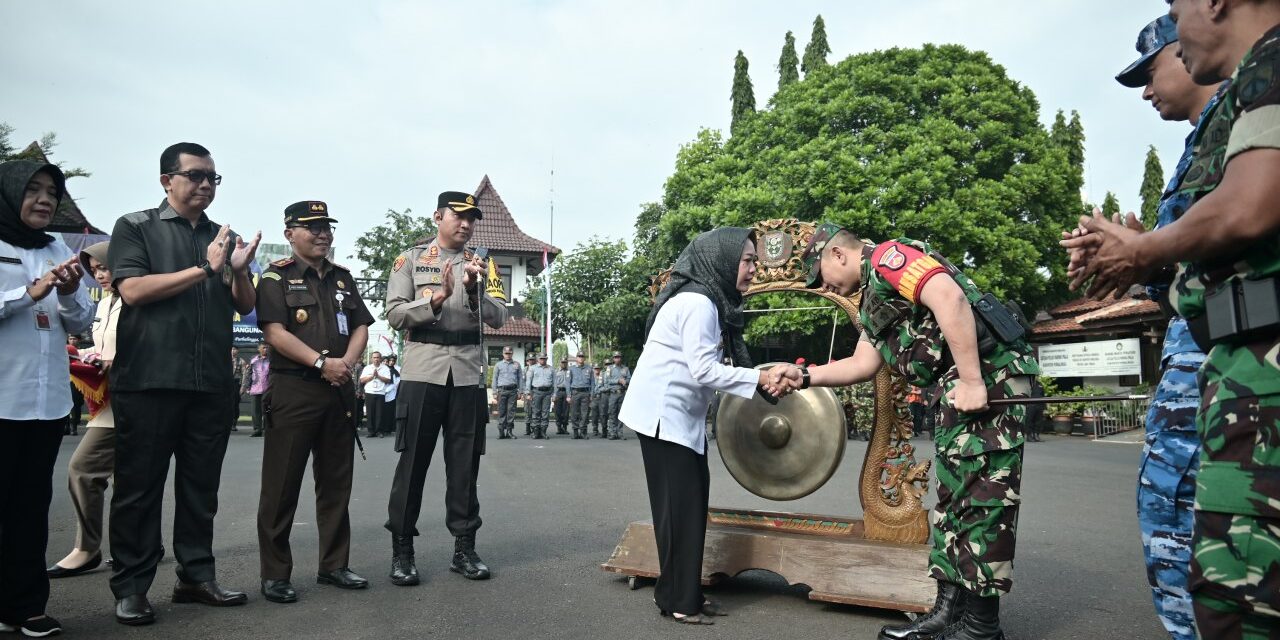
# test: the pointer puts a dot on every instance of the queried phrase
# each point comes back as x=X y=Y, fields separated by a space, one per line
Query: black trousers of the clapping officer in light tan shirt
x=429 y=410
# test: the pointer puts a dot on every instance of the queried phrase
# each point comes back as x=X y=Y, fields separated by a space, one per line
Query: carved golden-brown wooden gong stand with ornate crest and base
x=877 y=561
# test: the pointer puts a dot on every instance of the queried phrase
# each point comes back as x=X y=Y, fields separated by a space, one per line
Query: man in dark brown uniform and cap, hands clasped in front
x=317 y=324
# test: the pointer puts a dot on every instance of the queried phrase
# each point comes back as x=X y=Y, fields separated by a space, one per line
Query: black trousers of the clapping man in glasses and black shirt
x=150 y=428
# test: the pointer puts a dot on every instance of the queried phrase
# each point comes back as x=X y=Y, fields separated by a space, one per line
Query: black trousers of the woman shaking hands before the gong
x=679 y=491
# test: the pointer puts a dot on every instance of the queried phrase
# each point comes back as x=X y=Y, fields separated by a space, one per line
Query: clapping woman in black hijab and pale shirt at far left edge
x=42 y=301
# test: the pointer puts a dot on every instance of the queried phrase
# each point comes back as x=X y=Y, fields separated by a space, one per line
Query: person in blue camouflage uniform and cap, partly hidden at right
x=1167 y=482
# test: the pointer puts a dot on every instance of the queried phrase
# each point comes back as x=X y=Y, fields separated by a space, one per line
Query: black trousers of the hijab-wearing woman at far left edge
x=29 y=450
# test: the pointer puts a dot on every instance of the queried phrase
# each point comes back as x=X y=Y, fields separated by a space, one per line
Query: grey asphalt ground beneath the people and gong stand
x=554 y=511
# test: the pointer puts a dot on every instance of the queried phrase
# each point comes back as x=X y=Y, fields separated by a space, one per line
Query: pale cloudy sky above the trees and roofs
x=386 y=103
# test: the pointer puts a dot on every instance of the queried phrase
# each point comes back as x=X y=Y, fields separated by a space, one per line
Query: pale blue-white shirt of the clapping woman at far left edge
x=35 y=381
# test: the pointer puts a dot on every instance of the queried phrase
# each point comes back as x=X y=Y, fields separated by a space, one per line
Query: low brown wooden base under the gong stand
x=840 y=569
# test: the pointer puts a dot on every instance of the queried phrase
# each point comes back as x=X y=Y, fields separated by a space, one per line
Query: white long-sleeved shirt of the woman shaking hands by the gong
x=679 y=373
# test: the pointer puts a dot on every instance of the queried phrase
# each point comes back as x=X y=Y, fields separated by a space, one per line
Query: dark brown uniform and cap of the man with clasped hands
x=308 y=417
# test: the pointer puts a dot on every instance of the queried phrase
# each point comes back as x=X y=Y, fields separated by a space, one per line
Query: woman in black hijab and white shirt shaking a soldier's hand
x=697 y=318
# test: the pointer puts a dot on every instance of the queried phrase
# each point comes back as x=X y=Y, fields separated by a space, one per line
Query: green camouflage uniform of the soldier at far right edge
x=1236 y=569
